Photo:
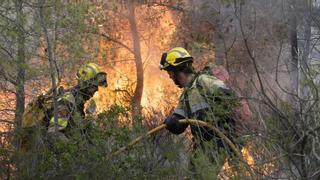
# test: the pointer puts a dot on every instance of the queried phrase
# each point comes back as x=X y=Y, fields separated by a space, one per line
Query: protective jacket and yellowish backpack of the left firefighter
x=39 y=115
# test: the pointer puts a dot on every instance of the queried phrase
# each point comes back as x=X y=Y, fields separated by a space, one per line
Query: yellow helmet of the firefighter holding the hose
x=175 y=57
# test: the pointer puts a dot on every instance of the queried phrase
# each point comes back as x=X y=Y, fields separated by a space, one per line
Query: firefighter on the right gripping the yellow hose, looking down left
x=204 y=97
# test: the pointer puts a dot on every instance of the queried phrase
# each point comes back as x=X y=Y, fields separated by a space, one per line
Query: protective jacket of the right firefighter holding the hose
x=205 y=98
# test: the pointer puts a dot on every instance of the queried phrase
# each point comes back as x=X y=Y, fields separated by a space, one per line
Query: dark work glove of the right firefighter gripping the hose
x=173 y=125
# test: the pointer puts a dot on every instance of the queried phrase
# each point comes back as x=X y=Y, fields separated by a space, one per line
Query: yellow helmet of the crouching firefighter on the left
x=91 y=73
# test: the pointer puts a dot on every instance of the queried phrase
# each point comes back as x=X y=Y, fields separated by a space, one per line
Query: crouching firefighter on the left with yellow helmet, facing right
x=70 y=104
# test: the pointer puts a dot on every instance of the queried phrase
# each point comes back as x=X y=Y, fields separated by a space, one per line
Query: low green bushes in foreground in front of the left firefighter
x=89 y=155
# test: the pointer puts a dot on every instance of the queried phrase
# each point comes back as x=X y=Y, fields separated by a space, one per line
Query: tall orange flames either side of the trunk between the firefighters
x=159 y=92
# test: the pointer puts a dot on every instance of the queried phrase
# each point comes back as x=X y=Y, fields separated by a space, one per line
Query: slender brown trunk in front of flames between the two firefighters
x=136 y=101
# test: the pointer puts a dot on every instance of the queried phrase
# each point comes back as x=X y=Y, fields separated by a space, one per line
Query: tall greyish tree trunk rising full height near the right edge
x=297 y=64
